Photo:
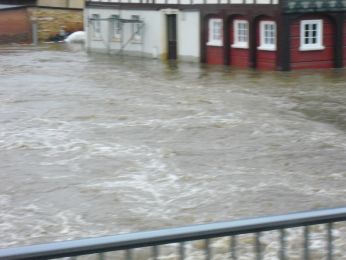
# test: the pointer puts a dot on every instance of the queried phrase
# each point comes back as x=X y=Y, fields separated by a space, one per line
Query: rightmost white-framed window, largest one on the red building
x=311 y=35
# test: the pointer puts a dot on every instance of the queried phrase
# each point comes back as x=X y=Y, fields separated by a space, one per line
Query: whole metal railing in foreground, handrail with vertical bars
x=181 y=235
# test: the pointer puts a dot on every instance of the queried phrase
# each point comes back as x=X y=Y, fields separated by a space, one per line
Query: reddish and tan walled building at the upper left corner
x=49 y=17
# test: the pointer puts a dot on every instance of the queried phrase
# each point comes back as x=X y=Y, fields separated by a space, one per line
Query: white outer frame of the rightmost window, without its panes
x=319 y=35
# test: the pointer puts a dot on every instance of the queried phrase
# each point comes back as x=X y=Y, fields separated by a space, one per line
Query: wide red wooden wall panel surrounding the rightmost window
x=312 y=59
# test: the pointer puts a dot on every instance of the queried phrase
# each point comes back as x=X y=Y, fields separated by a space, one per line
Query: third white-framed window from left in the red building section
x=267 y=36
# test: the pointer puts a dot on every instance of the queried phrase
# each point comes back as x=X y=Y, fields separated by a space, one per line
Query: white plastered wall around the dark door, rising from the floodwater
x=154 y=41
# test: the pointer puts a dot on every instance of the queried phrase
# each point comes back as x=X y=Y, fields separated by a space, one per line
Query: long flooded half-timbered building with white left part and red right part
x=263 y=34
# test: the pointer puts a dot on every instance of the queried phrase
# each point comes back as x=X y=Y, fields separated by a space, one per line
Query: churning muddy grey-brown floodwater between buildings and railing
x=94 y=145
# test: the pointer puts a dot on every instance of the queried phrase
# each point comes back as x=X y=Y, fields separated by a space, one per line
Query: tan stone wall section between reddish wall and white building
x=51 y=20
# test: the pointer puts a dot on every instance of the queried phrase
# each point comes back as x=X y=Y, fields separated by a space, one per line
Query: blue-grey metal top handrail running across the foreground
x=173 y=235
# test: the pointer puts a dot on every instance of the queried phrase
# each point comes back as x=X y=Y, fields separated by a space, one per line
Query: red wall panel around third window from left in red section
x=265 y=60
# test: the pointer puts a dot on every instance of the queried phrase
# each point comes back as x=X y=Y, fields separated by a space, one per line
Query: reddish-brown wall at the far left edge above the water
x=14 y=26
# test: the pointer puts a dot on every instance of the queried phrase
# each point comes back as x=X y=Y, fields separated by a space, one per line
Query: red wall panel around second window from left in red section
x=238 y=57
